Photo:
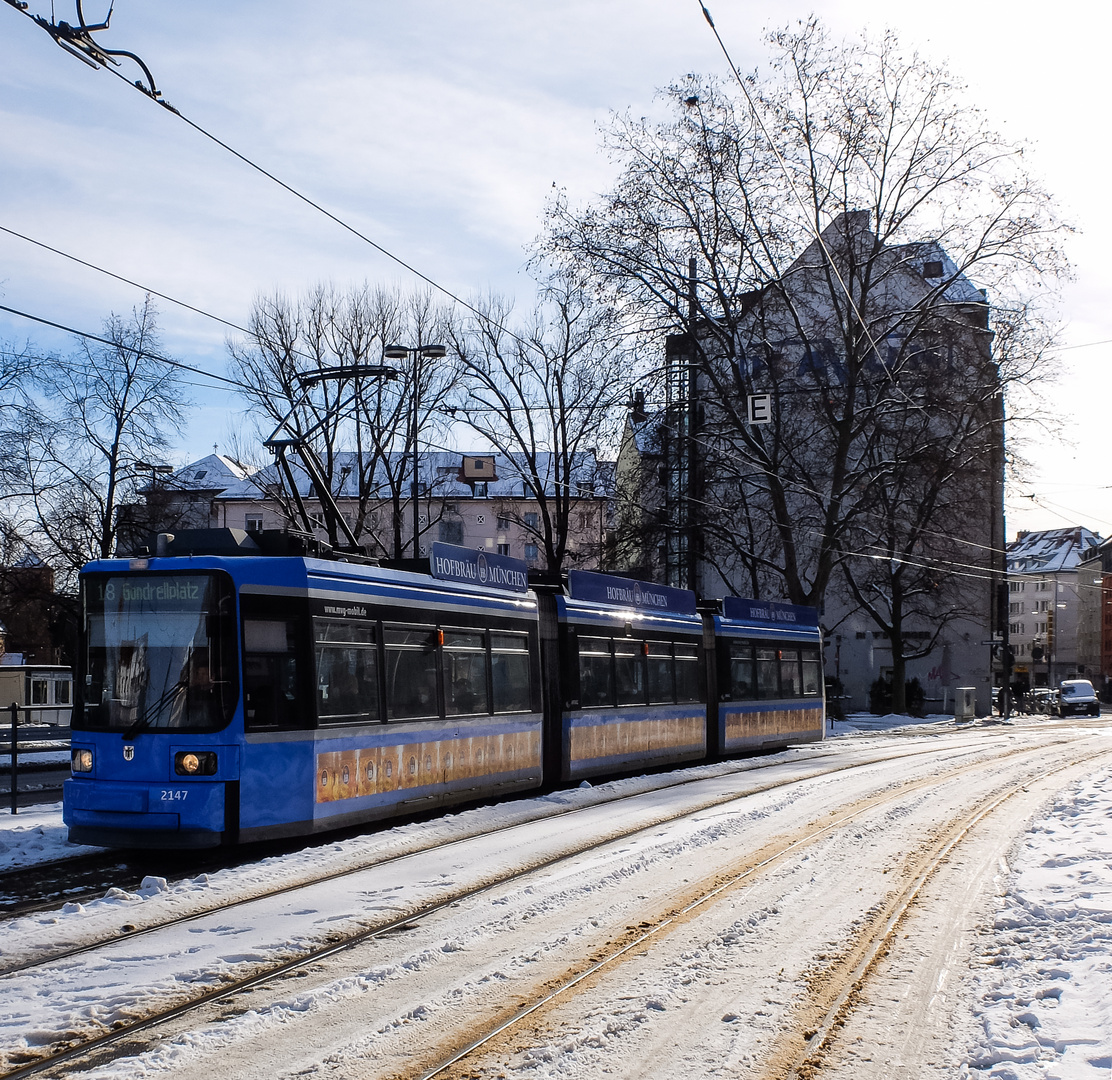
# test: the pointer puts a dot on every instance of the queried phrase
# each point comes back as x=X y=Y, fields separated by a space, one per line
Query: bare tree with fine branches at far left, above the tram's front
x=94 y=422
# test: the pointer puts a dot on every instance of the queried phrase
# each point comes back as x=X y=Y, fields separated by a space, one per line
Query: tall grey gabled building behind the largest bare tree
x=716 y=497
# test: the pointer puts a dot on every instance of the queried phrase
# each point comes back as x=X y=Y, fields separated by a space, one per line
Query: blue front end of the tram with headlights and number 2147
x=155 y=755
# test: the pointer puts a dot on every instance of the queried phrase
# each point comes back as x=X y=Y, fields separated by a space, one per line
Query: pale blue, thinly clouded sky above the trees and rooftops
x=440 y=131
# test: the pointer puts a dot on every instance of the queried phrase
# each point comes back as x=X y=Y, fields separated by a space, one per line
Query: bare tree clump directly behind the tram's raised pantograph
x=361 y=427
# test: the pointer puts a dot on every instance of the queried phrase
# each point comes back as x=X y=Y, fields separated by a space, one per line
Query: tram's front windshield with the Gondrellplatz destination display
x=160 y=653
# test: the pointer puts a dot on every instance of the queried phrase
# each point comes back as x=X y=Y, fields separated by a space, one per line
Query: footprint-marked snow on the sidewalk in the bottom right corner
x=1042 y=992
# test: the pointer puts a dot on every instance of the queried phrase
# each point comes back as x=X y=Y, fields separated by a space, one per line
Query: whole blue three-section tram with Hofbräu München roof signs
x=230 y=691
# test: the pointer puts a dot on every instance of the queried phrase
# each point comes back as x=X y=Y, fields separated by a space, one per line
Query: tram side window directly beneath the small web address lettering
x=347 y=672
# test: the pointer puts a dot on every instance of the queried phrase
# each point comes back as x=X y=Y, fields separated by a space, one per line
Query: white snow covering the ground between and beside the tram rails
x=1037 y=992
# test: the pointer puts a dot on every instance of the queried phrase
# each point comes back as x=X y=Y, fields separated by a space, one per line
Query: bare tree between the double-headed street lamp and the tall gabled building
x=547 y=397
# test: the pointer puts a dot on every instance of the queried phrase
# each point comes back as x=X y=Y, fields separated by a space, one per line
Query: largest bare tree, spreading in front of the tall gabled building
x=838 y=211
